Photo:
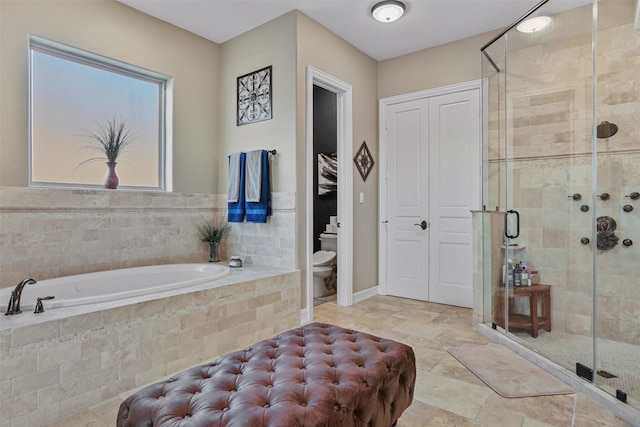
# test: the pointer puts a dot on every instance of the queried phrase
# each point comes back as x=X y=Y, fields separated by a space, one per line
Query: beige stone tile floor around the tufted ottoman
x=446 y=393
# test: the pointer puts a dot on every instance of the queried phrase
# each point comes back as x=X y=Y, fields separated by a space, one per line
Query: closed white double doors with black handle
x=431 y=142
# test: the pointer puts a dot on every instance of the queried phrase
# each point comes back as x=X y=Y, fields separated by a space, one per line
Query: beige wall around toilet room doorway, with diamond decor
x=325 y=51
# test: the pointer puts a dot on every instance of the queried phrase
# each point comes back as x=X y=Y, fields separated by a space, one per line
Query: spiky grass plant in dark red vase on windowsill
x=111 y=138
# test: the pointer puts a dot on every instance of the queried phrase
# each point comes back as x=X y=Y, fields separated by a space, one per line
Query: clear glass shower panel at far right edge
x=616 y=153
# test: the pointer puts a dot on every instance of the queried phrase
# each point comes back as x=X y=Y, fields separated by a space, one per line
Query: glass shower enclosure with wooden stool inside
x=561 y=165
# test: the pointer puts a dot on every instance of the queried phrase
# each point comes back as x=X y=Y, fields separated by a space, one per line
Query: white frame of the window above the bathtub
x=100 y=62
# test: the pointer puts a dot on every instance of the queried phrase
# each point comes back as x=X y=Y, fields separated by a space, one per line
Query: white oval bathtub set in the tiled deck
x=114 y=285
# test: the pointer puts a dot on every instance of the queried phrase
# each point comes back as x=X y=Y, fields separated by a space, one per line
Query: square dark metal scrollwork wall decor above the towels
x=254 y=97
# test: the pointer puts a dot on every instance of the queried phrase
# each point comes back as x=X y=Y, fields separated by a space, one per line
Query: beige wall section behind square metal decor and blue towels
x=273 y=43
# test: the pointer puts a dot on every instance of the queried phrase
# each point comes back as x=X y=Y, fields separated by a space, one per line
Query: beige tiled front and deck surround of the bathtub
x=72 y=358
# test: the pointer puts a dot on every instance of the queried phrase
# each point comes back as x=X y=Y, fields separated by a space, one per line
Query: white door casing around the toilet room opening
x=344 y=147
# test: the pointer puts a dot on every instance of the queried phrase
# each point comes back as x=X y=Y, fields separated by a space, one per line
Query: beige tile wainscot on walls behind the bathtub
x=53 y=232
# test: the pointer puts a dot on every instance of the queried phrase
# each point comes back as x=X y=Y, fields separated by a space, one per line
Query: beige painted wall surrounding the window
x=111 y=29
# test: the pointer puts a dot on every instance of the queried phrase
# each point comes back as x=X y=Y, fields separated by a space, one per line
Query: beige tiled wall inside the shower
x=549 y=111
